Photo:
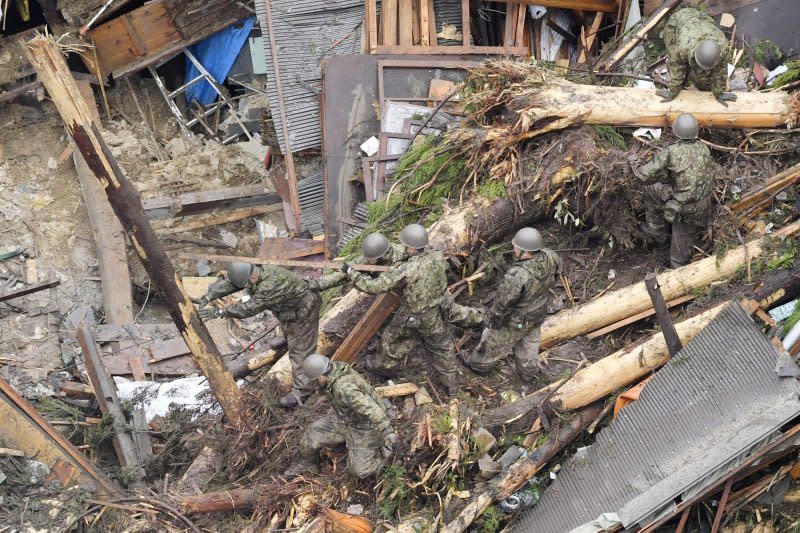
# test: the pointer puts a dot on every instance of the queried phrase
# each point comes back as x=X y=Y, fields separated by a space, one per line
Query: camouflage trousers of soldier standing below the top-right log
x=687 y=221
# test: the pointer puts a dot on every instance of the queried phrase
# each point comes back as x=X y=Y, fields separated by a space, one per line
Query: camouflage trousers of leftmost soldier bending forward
x=302 y=330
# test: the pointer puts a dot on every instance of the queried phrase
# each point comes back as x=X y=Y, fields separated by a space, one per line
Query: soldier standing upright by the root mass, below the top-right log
x=682 y=180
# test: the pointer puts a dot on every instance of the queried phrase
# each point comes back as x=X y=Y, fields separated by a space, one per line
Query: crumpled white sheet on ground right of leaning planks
x=159 y=396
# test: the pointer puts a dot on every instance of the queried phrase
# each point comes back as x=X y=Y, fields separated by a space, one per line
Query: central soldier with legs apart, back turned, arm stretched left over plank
x=422 y=284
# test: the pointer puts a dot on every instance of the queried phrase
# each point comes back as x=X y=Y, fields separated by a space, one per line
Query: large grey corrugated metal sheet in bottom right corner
x=715 y=402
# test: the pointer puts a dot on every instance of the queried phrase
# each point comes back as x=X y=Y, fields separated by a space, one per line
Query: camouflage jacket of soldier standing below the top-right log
x=687 y=166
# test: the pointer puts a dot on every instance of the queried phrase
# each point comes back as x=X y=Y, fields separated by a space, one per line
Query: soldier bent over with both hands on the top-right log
x=696 y=48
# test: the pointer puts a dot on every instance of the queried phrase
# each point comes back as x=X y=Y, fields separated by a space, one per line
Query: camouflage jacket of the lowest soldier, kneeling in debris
x=355 y=400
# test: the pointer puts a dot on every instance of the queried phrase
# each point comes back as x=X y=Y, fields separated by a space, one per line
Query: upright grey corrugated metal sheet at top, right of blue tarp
x=306 y=31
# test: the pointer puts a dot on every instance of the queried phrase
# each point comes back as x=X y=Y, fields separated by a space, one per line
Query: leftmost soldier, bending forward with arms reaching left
x=293 y=300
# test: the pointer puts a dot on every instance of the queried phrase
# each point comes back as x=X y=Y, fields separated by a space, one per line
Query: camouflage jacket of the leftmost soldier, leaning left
x=278 y=290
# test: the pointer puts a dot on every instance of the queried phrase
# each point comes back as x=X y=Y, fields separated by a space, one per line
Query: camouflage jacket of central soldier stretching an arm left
x=422 y=280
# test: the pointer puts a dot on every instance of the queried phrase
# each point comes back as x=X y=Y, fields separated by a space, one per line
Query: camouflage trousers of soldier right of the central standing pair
x=497 y=344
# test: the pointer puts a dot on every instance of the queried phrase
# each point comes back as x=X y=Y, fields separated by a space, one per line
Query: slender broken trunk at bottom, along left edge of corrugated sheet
x=519 y=472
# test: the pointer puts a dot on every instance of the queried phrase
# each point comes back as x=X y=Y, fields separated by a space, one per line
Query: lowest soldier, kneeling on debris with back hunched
x=359 y=421
